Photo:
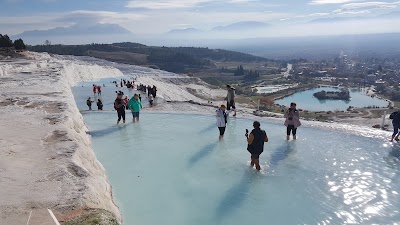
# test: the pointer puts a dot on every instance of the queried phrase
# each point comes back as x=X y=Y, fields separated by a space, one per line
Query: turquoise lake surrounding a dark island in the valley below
x=306 y=101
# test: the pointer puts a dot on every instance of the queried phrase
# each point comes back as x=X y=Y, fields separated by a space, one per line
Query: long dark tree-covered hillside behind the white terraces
x=173 y=59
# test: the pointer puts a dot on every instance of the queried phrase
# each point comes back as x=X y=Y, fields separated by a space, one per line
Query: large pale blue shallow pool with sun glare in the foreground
x=171 y=169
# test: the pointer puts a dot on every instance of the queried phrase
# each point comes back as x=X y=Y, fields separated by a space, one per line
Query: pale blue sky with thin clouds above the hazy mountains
x=158 y=16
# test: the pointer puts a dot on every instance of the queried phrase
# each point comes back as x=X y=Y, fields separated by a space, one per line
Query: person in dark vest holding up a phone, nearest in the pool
x=255 y=143
